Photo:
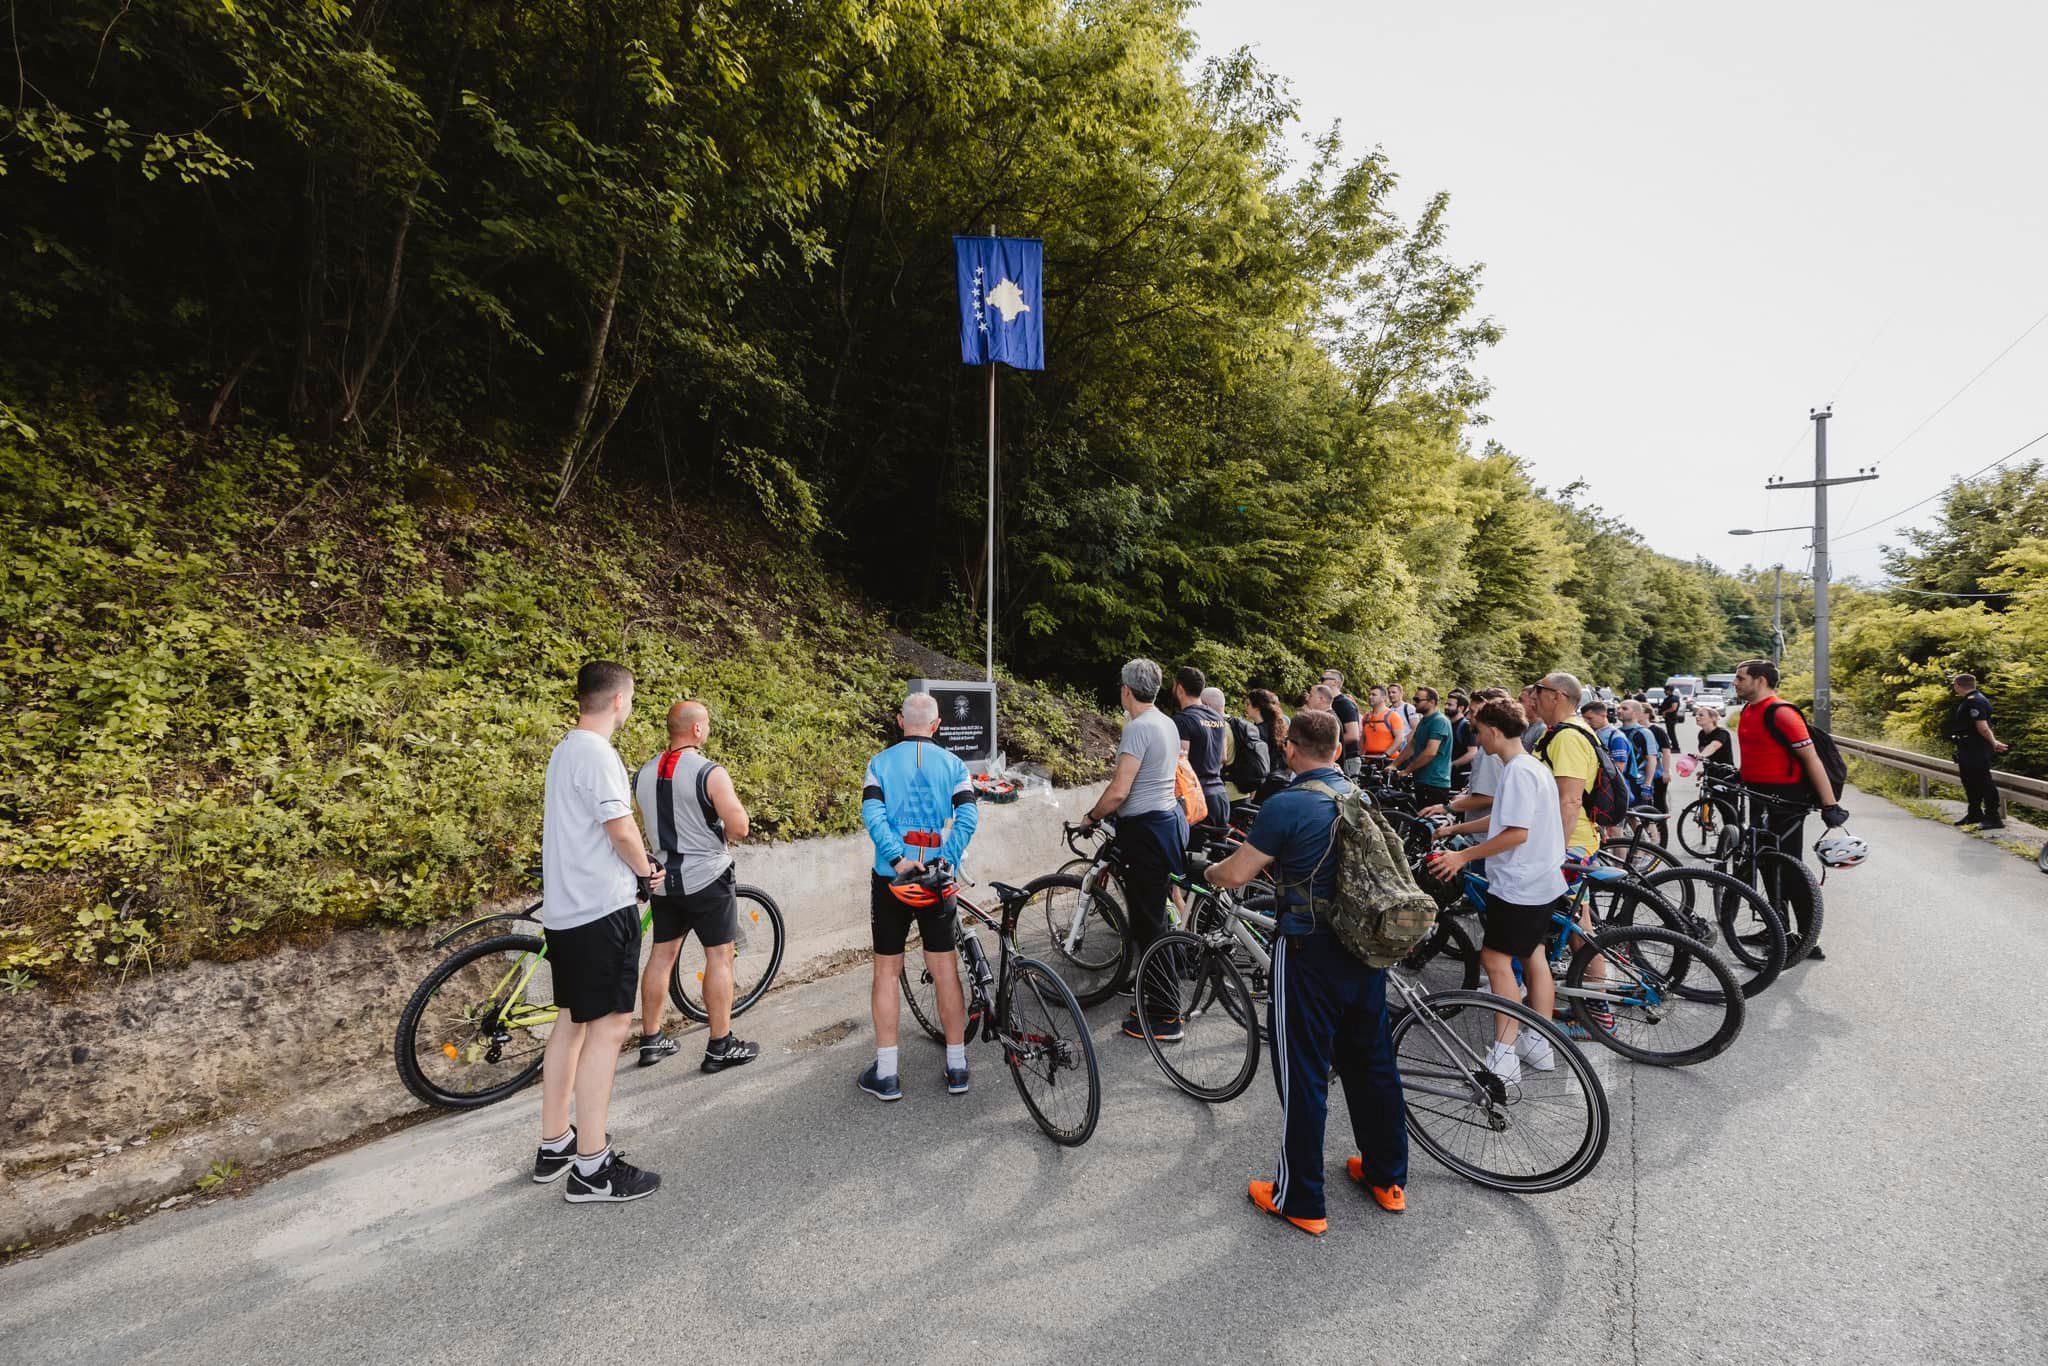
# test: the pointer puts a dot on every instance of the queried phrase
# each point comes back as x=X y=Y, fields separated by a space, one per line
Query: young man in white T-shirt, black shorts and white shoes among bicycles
x=1525 y=851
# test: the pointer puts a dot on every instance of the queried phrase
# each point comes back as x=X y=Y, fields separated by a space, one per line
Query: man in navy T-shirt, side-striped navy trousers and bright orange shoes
x=1328 y=1009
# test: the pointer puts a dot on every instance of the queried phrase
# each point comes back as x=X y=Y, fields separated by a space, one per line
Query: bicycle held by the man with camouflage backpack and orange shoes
x=1541 y=1134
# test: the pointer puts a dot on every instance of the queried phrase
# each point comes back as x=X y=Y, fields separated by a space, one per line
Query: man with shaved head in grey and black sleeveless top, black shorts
x=691 y=812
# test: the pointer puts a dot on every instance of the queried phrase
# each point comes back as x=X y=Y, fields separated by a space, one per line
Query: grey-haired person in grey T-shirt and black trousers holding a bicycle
x=1152 y=833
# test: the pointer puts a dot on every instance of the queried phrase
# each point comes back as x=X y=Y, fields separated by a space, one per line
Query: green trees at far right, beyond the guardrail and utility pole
x=1971 y=595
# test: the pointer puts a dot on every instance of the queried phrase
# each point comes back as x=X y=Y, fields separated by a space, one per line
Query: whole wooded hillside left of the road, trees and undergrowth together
x=419 y=292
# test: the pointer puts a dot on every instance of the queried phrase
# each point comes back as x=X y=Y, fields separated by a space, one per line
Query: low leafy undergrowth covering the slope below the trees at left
x=251 y=695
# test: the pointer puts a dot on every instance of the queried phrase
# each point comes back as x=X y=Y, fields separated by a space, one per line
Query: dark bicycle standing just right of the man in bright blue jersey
x=1021 y=1005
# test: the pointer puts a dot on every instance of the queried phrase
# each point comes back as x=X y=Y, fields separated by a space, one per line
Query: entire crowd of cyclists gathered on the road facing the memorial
x=1517 y=773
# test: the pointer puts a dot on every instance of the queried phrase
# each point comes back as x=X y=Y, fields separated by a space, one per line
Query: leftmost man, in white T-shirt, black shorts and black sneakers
x=595 y=873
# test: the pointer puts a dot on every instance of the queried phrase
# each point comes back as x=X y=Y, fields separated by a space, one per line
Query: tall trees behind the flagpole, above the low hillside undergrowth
x=712 y=245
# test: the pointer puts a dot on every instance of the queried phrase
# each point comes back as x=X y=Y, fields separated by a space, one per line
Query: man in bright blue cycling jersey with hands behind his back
x=919 y=804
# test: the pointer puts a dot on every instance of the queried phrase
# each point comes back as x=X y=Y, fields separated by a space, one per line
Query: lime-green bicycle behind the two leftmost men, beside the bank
x=476 y=1027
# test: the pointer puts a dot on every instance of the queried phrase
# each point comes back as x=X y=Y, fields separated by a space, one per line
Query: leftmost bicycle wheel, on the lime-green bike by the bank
x=472 y=1033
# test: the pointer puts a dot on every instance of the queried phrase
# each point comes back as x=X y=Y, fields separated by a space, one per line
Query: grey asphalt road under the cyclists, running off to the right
x=1861 y=1181
